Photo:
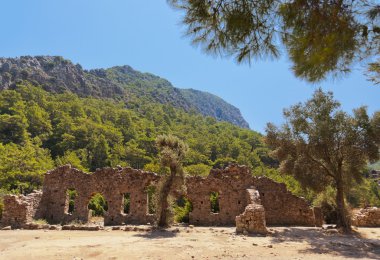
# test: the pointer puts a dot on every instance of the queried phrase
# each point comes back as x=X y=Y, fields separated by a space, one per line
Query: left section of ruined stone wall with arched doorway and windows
x=111 y=183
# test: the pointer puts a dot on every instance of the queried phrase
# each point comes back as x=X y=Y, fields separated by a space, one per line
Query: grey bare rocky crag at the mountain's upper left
x=55 y=74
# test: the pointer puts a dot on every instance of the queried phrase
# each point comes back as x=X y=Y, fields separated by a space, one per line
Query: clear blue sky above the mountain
x=146 y=35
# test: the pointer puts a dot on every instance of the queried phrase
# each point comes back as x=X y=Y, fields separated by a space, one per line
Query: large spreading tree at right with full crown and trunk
x=321 y=145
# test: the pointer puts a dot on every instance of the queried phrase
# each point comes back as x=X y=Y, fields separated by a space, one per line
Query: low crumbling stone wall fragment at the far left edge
x=20 y=209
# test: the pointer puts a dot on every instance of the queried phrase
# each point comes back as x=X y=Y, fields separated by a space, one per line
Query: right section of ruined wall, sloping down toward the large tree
x=281 y=206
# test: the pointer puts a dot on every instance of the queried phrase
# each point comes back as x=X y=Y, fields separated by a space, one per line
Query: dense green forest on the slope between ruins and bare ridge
x=40 y=130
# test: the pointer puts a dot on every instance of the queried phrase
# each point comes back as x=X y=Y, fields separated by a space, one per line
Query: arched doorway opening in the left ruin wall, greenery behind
x=98 y=207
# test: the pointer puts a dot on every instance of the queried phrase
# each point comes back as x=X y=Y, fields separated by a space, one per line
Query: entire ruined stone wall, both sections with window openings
x=231 y=184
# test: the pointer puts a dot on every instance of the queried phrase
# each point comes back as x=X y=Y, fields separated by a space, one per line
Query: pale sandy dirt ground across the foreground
x=190 y=243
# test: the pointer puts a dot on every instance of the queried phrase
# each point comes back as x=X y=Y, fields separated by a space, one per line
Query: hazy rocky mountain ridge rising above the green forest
x=56 y=74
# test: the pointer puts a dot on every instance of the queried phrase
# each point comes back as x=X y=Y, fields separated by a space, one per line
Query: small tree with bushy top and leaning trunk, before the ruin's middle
x=172 y=152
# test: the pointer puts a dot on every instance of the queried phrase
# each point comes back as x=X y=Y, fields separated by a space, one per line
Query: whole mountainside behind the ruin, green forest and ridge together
x=47 y=120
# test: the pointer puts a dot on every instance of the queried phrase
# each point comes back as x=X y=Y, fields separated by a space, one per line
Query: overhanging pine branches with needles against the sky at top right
x=322 y=37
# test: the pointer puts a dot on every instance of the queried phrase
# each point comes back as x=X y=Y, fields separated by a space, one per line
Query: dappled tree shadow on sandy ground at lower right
x=330 y=241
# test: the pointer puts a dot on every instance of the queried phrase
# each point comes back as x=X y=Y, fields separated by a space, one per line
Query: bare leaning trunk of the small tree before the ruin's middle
x=163 y=201
